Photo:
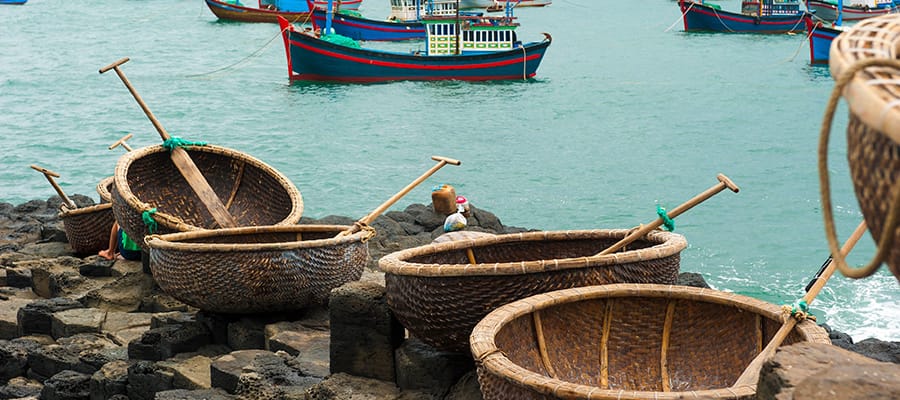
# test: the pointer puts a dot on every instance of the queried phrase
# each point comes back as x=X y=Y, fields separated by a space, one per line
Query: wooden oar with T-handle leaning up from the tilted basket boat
x=181 y=159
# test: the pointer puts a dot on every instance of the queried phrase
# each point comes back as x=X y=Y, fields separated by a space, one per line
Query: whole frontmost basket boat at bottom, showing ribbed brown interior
x=626 y=341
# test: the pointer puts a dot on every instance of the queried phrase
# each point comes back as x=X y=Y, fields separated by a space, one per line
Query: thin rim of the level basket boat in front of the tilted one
x=173 y=241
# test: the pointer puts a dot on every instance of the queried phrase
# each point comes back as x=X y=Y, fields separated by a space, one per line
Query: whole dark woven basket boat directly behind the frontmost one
x=439 y=293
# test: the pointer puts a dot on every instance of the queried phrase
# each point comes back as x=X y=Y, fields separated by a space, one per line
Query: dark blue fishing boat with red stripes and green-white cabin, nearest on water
x=463 y=47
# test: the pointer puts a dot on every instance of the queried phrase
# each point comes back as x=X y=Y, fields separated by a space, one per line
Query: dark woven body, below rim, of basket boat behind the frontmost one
x=442 y=310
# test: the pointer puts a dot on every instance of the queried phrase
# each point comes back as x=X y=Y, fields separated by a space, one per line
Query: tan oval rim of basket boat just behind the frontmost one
x=669 y=244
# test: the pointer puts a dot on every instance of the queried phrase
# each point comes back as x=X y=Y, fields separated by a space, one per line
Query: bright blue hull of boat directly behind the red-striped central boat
x=368 y=29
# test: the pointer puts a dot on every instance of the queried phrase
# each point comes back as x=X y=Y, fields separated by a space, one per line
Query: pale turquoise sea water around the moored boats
x=627 y=112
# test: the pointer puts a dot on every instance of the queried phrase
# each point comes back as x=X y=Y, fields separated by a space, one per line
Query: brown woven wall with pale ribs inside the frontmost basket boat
x=709 y=345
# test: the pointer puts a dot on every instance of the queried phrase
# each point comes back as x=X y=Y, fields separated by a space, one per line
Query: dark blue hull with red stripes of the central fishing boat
x=313 y=59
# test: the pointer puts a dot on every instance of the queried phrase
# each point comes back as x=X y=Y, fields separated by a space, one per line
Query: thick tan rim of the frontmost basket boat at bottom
x=489 y=356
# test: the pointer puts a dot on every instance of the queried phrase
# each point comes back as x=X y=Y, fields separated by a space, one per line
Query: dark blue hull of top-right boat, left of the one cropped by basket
x=700 y=17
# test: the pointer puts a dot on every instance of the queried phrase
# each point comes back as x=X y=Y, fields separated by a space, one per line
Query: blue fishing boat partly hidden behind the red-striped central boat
x=404 y=23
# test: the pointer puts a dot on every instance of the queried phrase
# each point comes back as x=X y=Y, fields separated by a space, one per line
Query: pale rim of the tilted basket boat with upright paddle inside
x=172 y=221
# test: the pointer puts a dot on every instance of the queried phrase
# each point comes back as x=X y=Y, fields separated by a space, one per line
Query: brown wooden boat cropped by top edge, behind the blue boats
x=270 y=10
